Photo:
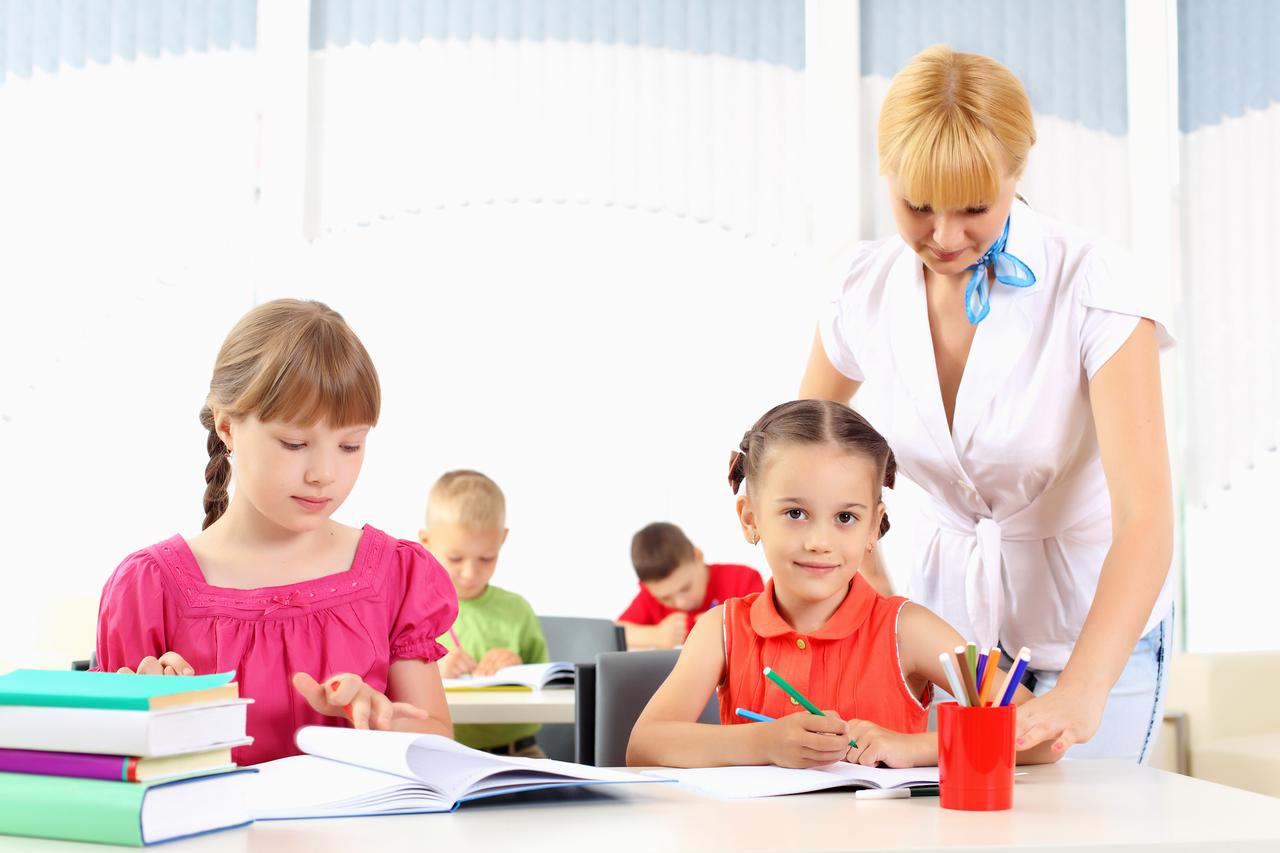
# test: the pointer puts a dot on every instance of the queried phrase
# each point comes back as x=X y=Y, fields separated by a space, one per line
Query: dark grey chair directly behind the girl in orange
x=625 y=682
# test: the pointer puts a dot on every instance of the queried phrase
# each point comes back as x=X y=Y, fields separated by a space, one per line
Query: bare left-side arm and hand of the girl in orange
x=668 y=736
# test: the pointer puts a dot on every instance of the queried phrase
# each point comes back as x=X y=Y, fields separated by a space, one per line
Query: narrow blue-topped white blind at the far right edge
x=1229 y=121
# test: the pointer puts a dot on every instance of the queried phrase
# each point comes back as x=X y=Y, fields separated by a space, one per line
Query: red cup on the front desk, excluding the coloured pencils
x=976 y=758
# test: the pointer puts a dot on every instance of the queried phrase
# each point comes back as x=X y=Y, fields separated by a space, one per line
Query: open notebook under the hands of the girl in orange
x=738 y=783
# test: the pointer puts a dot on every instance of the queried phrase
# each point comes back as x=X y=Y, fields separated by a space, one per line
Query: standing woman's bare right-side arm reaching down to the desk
x=1130 y=418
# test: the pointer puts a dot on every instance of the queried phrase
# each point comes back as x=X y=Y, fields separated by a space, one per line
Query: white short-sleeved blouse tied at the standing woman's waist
x=1022 y=510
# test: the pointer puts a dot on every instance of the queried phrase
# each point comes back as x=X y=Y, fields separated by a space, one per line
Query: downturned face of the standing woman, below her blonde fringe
x=948 y=241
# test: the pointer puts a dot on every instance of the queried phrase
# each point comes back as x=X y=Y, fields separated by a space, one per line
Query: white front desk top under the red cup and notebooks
x=1073 y=806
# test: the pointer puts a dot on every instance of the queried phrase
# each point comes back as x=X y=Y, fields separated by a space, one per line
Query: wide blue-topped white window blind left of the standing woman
x=687 y=107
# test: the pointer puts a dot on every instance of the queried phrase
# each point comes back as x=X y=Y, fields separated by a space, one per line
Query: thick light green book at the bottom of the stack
x=108 y=813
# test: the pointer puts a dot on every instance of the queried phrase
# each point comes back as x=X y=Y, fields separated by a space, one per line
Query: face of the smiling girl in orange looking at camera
x=816 y=512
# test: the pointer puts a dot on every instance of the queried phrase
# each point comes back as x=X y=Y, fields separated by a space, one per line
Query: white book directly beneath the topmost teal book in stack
x=147 y=735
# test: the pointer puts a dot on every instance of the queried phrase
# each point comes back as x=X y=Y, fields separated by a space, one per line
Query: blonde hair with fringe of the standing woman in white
x=952 y=126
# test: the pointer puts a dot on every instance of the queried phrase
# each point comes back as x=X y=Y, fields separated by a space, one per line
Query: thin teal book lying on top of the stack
x=113 y=691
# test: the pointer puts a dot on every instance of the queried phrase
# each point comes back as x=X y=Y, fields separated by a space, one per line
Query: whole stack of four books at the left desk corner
x=121 y=759
